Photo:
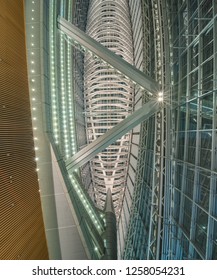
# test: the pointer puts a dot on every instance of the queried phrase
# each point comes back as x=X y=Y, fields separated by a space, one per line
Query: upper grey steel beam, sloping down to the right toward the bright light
x=110 y=57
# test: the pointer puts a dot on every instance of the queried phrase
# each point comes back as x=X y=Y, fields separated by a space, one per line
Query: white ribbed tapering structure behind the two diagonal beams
x=109 y=97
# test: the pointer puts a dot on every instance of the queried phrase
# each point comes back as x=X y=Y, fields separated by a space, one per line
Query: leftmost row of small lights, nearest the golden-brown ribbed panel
x=32 y=79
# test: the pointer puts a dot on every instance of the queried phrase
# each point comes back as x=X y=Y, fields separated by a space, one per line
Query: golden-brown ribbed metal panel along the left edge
x=21 y=225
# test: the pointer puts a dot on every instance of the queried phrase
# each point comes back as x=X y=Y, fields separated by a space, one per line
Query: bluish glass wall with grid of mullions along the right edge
x=194 y=97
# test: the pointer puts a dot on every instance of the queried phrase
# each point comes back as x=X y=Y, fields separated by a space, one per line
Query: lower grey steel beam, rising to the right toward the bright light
x=112 y=135
